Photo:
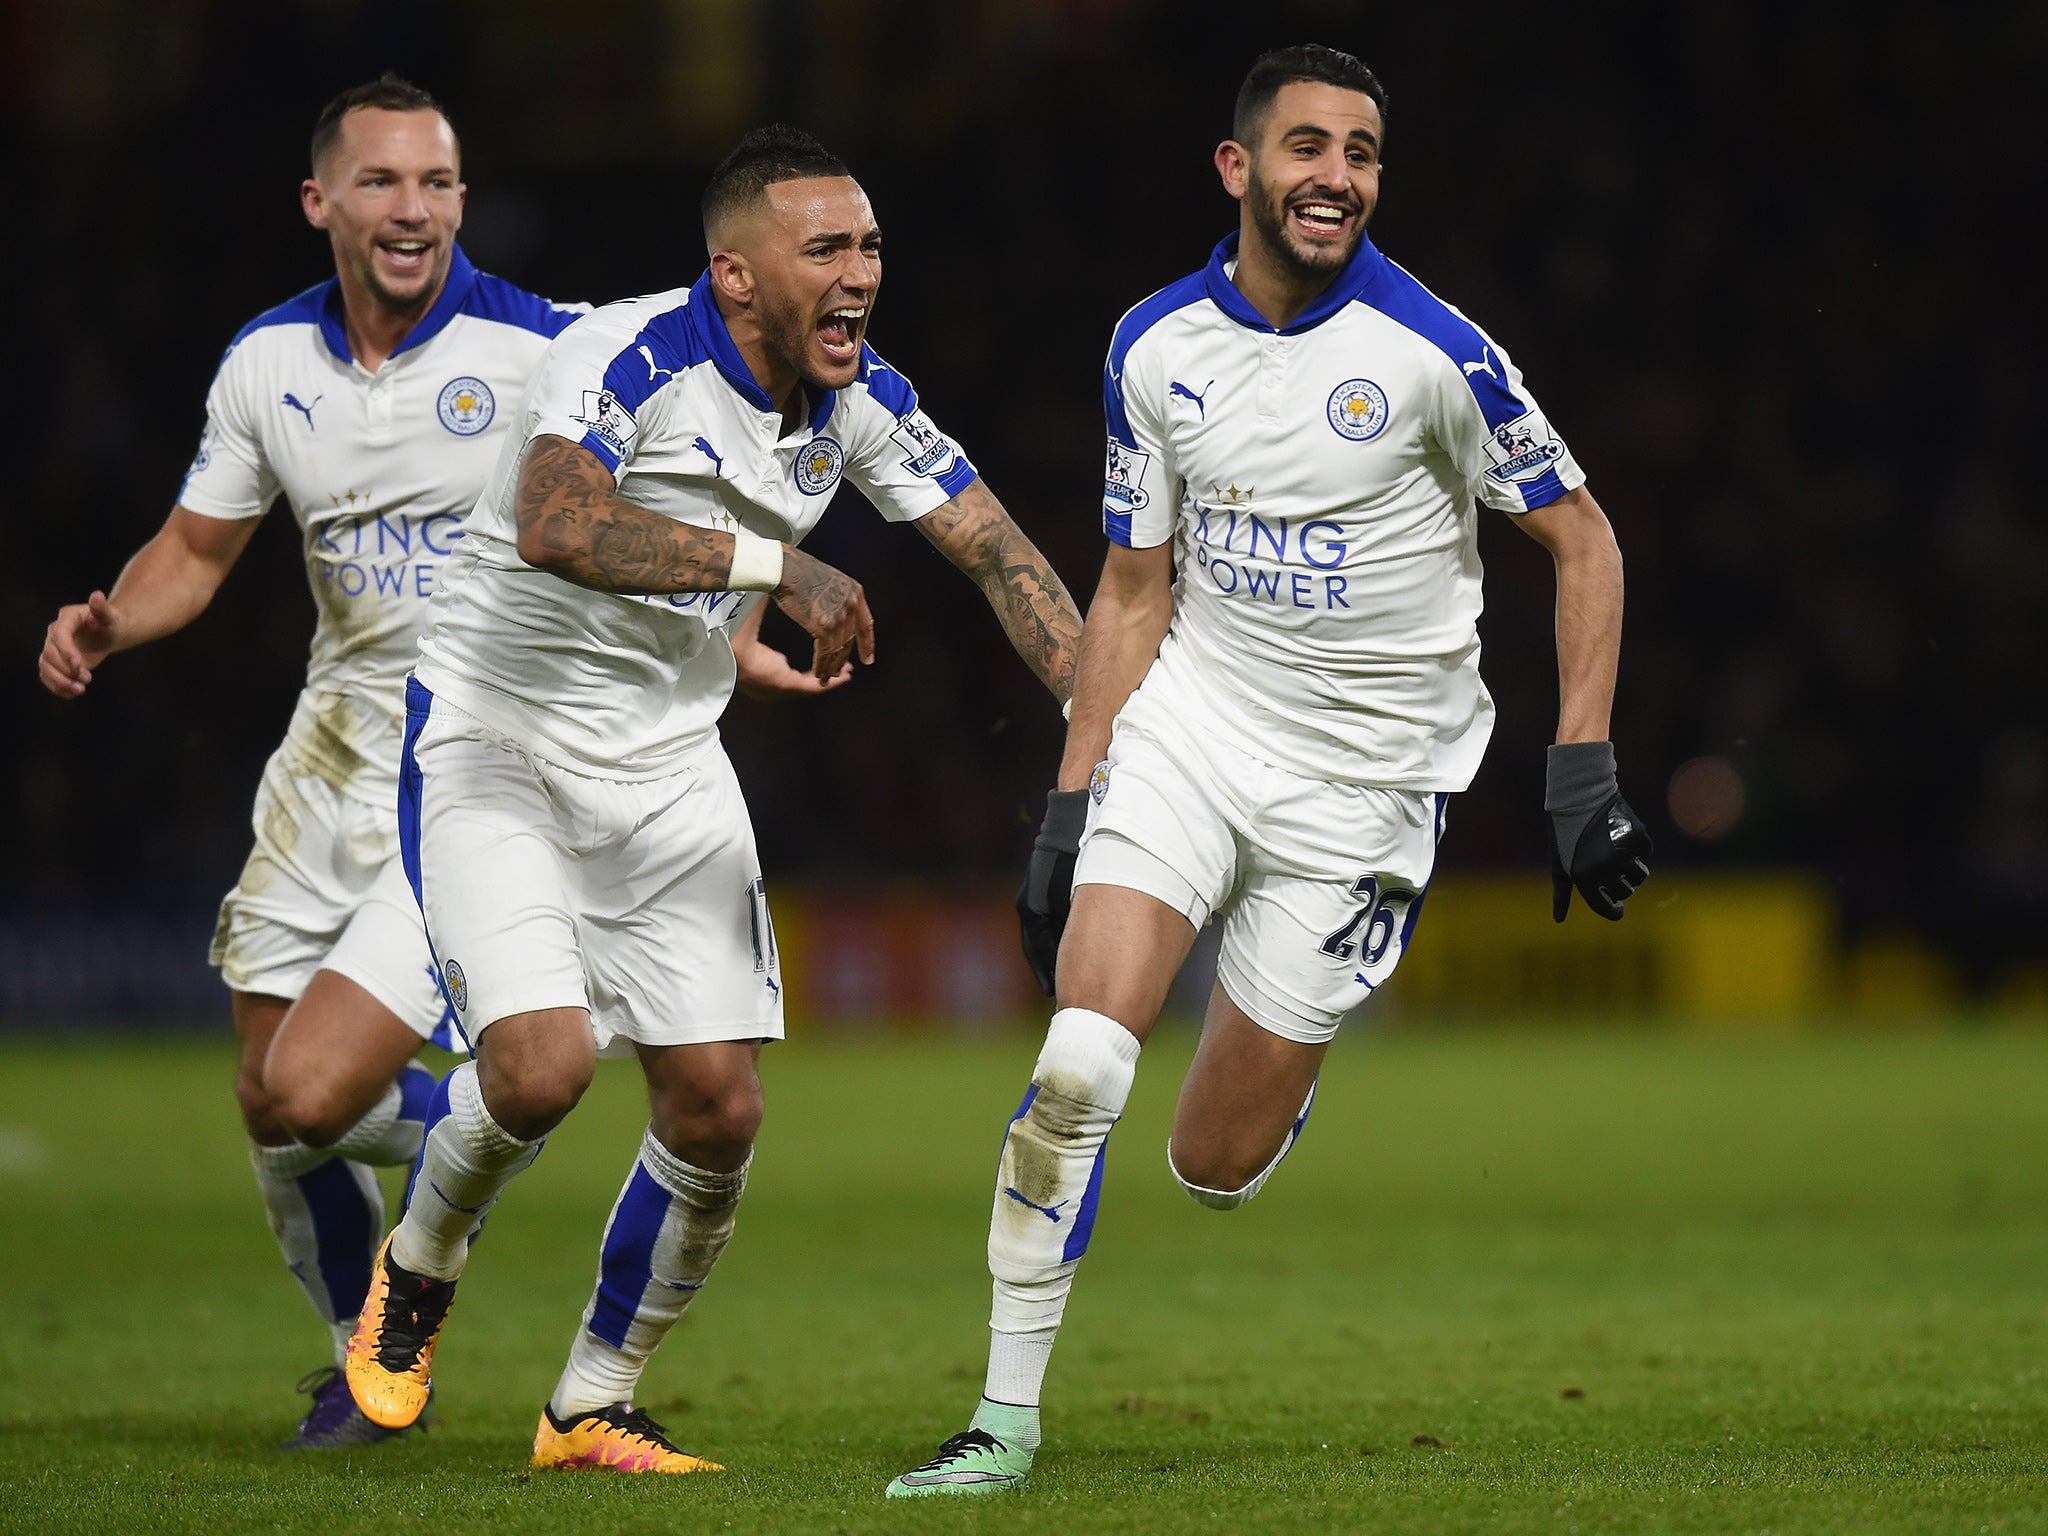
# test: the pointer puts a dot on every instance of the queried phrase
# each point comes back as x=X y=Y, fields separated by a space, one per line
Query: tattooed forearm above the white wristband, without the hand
x=574 y=525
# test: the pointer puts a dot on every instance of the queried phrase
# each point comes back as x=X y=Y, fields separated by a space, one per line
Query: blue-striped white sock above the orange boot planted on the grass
x=669 y=1228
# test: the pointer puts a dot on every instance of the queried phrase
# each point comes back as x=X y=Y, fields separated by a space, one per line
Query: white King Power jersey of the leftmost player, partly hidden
x=380 y=470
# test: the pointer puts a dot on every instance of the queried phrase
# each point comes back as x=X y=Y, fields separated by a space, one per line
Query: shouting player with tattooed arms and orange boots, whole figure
x=570 y=820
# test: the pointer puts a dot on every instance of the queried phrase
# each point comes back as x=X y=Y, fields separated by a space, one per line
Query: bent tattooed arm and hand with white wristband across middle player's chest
x=574 y=523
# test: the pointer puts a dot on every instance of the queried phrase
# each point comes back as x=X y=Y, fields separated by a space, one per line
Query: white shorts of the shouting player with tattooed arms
x=640 y=902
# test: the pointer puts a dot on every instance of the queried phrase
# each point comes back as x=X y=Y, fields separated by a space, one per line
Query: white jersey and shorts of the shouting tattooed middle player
x=577 y=833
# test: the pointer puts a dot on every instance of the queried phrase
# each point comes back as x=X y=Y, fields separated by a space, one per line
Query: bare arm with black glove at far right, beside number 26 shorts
x=1598 y=845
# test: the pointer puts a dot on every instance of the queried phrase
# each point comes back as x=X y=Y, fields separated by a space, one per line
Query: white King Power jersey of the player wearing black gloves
x=1320 y=484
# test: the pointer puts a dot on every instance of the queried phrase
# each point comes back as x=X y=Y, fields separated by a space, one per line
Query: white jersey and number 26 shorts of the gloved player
x=1318 y=695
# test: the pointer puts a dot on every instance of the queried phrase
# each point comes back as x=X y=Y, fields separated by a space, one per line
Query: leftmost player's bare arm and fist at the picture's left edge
x=163 y=589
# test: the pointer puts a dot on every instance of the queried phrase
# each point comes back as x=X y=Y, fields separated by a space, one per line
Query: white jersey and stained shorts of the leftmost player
x=380 y=472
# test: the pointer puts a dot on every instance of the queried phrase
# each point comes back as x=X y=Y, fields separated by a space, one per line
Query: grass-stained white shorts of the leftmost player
x=325 y=890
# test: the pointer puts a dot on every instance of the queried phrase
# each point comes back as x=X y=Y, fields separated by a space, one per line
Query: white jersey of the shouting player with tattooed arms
x=632 y=687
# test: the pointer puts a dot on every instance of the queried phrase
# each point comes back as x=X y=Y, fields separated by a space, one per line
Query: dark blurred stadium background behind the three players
x=1768 y=269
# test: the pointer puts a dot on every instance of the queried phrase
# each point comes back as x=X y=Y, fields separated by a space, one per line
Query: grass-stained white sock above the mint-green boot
x=1046 y=1193
